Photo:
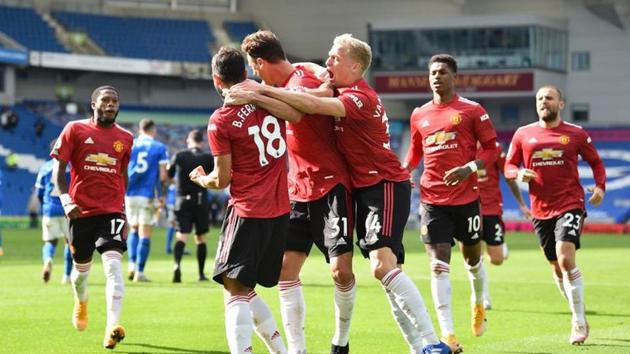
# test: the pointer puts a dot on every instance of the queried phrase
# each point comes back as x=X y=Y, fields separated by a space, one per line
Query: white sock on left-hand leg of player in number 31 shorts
x=293 y=311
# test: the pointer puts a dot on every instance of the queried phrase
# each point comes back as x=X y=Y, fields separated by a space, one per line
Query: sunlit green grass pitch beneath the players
x=529 y=315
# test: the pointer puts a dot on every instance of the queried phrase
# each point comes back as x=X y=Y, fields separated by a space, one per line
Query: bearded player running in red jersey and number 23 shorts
x=548 y=150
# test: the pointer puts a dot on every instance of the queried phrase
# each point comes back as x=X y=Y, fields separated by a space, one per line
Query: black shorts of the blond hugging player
x=382 y=213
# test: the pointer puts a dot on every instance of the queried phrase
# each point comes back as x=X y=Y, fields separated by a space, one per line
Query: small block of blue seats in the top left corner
x=28 y=28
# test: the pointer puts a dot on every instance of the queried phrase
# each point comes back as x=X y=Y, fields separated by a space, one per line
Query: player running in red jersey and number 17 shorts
x=98 y=150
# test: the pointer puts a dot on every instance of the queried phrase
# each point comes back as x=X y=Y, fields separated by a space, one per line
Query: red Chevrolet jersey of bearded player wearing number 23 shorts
x=553 y=155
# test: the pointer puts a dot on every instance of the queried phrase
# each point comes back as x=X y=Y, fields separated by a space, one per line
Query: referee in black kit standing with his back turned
x=191 y=203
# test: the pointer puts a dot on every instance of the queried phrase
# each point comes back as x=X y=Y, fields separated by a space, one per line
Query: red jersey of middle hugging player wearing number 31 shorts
x=315 y=163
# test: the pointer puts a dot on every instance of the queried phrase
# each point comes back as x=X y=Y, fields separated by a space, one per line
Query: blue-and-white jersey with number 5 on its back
x=144 y=166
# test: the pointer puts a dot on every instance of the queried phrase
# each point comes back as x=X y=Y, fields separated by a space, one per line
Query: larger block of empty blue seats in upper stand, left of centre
x=147 y=38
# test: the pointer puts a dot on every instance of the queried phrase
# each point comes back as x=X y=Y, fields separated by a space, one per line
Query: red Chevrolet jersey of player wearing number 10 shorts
x=446 y=135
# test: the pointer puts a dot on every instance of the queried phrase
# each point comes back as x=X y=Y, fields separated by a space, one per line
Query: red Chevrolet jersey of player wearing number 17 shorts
x=98 y=157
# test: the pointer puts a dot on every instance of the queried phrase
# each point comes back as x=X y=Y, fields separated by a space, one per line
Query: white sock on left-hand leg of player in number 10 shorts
x=441 y=292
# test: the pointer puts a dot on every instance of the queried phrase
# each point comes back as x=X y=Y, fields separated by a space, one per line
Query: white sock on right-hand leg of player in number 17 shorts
x=114 y=286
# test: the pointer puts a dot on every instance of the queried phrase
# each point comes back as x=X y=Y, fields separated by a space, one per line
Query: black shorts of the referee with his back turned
x=192 y=210
